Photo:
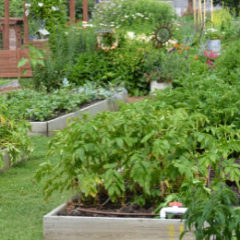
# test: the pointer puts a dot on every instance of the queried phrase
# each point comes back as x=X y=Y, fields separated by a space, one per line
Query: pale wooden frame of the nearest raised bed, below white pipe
x=57 y=227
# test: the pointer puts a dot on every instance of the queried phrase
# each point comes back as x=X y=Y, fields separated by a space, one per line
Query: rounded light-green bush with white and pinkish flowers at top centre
x=131 y=14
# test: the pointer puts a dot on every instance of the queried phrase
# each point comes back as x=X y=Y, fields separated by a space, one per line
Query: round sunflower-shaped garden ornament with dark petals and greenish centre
x=161 y=35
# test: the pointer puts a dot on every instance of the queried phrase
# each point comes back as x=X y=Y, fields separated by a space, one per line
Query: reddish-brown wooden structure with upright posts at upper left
x=15 y=46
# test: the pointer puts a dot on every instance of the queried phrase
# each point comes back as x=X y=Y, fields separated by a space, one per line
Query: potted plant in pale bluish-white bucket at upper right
x=214 y=39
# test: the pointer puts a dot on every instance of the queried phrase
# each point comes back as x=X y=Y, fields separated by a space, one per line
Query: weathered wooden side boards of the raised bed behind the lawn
x=48 y=127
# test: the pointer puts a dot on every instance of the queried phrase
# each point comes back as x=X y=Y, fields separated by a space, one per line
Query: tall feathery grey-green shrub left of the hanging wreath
x=66 y=44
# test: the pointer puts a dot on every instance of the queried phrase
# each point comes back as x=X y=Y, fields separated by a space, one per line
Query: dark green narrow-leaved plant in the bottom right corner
x=213 y=215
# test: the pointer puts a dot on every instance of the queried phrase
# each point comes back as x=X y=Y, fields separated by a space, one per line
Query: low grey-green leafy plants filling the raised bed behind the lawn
x=39 y=106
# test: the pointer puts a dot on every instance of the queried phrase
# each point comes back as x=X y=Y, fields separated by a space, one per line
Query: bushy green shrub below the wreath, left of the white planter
x=122 y=66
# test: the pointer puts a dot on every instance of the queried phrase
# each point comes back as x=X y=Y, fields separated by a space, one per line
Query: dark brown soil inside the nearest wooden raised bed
x=131 y=210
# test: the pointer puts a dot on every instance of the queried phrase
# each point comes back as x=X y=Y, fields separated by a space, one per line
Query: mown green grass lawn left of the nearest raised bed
x=21 y=201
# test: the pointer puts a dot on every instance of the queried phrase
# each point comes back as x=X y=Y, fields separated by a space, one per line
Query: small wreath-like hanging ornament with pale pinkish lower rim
x=107 y=40
